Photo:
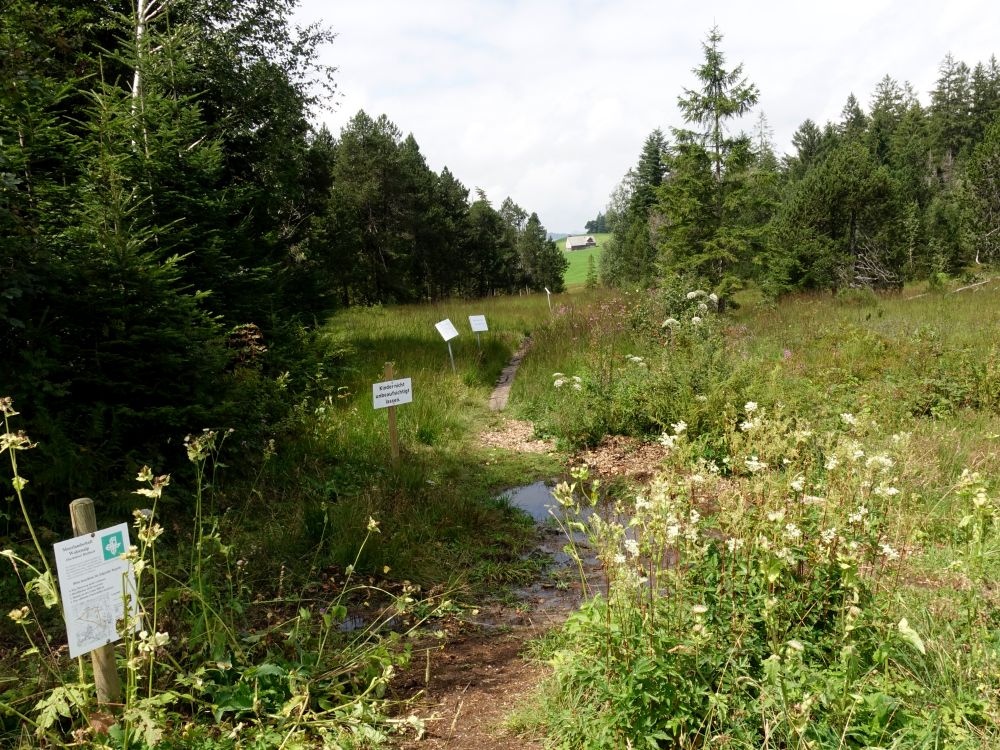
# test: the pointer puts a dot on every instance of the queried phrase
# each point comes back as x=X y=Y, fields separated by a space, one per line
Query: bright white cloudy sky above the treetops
x=549 y=101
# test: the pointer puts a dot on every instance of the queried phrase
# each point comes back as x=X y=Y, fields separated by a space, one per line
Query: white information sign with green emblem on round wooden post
x=94 y=582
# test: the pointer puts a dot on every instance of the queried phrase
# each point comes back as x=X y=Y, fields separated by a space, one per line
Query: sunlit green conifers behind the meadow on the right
x=900 y=190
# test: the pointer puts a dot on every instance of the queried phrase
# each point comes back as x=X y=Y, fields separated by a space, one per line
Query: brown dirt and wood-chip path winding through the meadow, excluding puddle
x=465 y=689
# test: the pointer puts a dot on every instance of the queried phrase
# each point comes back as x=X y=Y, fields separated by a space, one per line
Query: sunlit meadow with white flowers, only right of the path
x=816 y=566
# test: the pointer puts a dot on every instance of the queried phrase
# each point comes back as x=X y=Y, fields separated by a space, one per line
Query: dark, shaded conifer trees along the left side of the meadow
x=173 y=229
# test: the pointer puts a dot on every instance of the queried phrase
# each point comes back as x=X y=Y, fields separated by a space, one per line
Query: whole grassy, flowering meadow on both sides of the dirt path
x=815 y=568
